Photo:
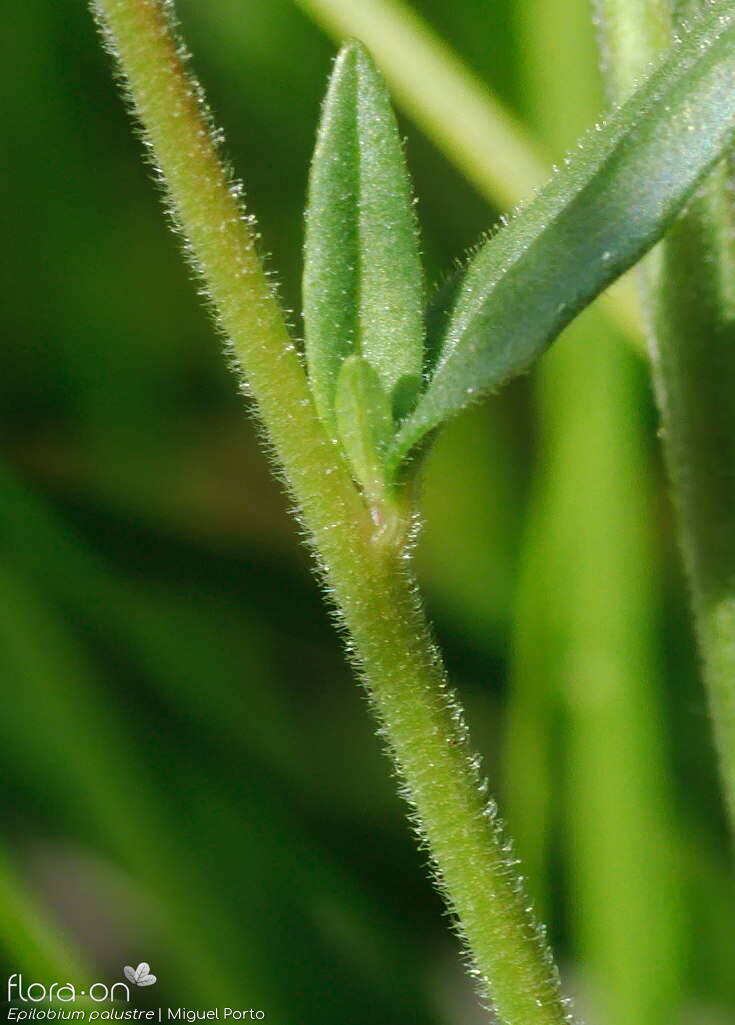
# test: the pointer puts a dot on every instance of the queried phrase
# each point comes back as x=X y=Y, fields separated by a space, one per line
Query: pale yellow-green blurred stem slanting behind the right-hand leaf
x=458 y=112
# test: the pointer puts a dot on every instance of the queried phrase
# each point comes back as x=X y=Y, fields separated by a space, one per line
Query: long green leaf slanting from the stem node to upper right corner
x=611 y=202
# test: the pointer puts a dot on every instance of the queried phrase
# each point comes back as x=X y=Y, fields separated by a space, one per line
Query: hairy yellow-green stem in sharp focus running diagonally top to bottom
x=365 y=571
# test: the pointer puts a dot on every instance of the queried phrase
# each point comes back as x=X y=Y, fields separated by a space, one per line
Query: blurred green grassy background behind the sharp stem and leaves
x=189 y=774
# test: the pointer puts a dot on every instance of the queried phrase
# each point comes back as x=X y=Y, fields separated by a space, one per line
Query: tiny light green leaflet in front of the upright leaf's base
x=364 y=425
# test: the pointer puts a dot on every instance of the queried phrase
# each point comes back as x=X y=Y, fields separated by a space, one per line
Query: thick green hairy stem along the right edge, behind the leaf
x=690 y=293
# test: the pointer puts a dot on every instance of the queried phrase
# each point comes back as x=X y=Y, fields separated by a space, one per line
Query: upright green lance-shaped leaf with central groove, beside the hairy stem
x=363 y=290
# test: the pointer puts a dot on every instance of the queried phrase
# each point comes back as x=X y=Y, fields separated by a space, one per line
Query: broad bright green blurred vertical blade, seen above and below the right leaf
x=588 y=680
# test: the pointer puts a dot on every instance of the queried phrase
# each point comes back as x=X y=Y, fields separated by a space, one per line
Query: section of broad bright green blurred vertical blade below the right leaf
x=620 y=835
